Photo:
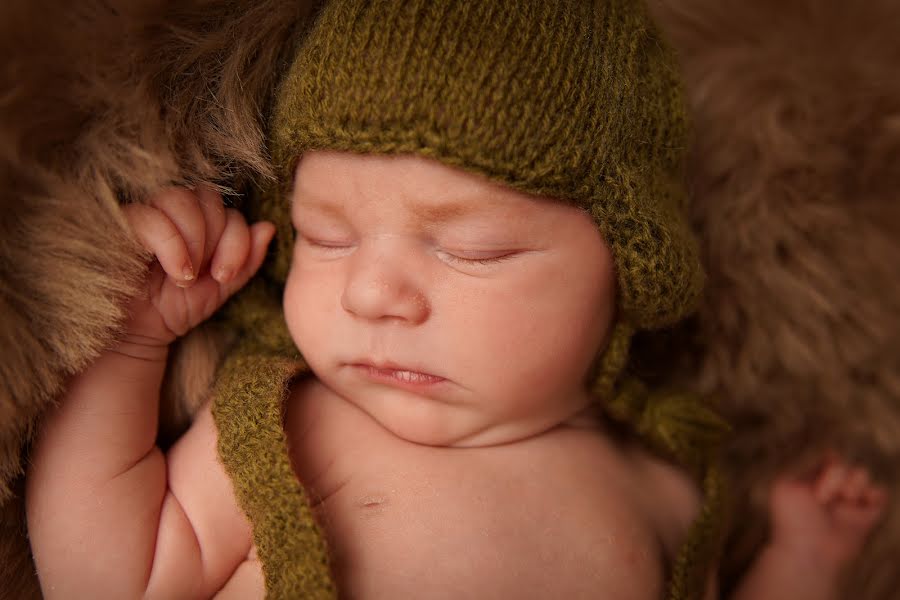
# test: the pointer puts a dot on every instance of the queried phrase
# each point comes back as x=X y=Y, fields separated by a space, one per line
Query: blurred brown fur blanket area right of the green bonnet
x=797 y=163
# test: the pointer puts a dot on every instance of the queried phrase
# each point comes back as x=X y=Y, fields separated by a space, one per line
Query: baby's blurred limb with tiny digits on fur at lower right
x=818 y=529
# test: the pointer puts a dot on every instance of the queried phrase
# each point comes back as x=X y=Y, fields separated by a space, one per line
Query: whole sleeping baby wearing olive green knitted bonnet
x=477 y=205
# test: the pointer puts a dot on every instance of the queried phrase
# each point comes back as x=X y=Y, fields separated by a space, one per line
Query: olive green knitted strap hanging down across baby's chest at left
x=248 y=410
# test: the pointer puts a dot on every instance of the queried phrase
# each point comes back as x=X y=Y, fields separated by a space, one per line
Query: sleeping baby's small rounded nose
x=385 y=285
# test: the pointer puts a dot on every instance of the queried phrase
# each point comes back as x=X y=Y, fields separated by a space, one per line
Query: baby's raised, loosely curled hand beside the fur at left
x=204 y=253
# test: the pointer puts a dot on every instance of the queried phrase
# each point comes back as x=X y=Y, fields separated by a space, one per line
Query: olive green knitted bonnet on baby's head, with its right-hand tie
x=578 y=101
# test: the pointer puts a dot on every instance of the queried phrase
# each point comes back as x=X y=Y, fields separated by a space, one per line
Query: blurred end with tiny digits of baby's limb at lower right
x=826 y=518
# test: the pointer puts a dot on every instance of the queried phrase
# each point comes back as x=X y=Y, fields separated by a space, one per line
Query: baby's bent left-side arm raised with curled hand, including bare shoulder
x=108 y=514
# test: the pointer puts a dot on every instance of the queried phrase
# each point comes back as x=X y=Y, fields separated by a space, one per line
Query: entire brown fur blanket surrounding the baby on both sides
x=795 y=173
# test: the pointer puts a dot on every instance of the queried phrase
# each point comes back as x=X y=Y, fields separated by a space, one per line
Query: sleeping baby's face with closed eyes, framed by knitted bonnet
x=454 y=311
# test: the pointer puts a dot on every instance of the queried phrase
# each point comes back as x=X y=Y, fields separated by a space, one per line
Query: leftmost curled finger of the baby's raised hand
x=159 y=236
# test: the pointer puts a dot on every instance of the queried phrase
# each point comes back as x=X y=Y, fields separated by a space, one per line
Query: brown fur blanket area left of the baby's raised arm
x=103 y=101
